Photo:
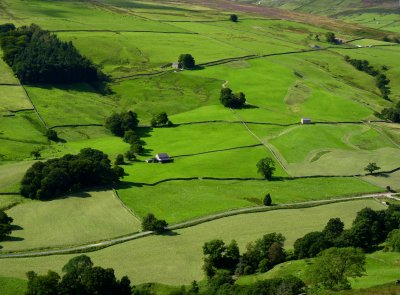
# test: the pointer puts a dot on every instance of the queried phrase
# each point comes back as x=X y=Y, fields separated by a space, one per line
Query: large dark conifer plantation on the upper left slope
x=36 y=56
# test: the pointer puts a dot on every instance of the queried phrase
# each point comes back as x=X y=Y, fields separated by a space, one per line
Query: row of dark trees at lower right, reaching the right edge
x=369 y=229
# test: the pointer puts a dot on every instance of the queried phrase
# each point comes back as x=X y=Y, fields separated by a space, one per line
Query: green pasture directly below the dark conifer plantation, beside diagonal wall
x=78 y=103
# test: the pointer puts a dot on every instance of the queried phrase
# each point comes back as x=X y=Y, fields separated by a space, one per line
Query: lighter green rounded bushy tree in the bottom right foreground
x=333 y=266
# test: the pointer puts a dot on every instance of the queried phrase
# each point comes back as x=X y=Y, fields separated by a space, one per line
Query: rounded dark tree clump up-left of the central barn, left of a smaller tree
x=120 y=123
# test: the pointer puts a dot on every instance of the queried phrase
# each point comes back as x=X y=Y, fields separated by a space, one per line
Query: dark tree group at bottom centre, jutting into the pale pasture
x=260 y=256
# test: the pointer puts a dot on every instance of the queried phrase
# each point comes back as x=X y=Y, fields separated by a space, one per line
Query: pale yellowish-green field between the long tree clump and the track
x=76 y=219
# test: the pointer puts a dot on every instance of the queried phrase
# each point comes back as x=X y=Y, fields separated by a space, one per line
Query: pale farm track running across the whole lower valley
x=190 y=223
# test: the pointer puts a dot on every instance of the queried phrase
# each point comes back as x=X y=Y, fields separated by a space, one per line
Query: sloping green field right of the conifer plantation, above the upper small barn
x=135 y=52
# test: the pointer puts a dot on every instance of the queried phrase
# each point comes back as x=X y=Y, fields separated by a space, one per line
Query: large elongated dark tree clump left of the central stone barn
x=46 y=180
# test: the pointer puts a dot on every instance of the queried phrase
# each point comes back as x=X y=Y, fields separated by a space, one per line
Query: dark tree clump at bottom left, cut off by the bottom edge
x=80 y=277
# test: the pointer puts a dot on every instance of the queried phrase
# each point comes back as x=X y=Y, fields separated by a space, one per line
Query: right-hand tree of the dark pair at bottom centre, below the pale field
x=264 y=253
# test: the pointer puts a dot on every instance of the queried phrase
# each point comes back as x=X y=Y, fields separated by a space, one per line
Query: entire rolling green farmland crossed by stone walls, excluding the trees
x=273 y=55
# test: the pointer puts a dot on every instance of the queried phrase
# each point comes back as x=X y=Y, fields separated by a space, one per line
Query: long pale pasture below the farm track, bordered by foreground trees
x=180 y=260
